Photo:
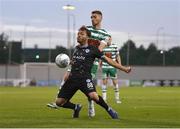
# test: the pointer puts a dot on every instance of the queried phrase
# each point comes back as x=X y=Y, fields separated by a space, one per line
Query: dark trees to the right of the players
x=150 y=56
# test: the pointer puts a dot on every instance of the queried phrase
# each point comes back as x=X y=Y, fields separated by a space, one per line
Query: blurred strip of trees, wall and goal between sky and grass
x=35 y=66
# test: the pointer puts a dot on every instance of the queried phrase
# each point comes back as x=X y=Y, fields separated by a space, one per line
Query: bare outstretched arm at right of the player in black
x=117 y=65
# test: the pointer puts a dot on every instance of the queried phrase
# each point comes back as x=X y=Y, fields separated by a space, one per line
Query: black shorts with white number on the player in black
x=72 y=85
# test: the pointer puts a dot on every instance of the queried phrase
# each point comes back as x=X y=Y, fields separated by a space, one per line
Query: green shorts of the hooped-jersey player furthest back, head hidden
x=109 y=72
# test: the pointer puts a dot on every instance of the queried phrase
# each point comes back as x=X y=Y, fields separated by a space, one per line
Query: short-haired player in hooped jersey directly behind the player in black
x=99 y=38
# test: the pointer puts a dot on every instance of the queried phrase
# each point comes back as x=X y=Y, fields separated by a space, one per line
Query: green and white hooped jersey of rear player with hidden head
x=111 y=52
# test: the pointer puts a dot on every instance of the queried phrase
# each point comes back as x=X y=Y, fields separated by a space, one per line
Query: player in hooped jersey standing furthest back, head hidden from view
x=109 y=71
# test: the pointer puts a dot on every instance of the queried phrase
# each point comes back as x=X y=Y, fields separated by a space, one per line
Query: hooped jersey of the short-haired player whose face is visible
x=98 y=34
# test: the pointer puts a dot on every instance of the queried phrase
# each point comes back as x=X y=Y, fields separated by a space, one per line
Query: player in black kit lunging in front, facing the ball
x=80 y=76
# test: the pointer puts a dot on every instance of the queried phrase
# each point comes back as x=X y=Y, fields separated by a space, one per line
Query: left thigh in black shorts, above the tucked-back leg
x=68 y=90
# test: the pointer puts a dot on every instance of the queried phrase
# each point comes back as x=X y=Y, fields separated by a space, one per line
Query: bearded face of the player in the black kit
x=82 y=37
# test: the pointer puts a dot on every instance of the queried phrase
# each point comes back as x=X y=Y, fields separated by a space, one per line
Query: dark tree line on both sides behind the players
x=11 y=52
